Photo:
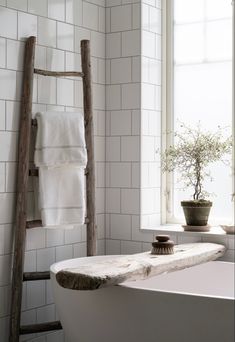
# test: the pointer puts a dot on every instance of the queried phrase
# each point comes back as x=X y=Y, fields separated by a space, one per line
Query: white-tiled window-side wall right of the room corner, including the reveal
x=133 y=185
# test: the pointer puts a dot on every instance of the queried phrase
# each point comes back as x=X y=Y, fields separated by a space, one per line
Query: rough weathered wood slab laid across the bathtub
x=116 y=270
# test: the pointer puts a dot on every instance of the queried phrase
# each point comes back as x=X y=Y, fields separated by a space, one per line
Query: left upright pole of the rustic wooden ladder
x=21 y=195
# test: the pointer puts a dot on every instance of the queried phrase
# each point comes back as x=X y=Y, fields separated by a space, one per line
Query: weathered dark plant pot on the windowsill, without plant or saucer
x=196 y=212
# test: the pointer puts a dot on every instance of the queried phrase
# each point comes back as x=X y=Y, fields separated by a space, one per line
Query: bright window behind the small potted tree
x=198 y=54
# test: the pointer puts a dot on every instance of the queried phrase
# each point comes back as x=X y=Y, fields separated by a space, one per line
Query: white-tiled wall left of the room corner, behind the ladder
x=59 y=25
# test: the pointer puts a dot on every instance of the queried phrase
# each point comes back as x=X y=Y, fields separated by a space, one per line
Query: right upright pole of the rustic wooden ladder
x=89 y=135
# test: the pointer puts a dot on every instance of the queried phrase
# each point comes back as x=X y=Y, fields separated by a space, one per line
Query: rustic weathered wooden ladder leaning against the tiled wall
x=24 y=171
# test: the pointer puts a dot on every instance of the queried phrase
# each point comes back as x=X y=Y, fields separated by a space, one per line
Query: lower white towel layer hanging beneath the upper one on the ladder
x=61 y=196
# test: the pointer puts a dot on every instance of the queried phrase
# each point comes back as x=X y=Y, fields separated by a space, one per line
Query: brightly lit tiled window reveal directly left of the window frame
x=151 y=114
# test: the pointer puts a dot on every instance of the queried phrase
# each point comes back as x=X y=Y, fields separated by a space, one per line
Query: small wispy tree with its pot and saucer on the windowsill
x=193 y=151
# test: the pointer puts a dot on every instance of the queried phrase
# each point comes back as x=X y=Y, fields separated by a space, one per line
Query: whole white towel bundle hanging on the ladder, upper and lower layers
x=61 y=156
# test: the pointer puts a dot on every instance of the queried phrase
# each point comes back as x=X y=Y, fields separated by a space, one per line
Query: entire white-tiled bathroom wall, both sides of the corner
x=126 y=69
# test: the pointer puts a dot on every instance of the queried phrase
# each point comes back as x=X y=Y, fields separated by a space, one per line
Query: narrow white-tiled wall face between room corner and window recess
x=123 y=104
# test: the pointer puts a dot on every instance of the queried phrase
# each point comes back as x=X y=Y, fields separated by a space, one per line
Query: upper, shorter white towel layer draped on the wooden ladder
x=60 y=139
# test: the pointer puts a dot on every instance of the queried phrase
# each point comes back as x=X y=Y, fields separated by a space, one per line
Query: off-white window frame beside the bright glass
x=167 y=106
